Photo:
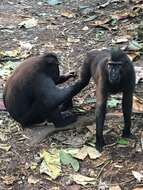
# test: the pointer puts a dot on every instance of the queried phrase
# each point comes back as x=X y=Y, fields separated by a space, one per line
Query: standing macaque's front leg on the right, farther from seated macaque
x=127 y=111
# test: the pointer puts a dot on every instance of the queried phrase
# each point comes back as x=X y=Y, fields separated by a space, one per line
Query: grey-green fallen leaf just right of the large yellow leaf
x=67 y=159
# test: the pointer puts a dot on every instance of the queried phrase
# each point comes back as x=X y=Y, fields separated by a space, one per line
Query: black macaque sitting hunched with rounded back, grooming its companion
x=31 y=95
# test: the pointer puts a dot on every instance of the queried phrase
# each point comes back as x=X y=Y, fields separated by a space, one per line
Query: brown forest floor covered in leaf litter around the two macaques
x=72 y=35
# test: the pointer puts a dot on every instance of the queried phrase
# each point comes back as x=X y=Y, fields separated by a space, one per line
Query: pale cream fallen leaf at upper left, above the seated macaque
x=28 y=23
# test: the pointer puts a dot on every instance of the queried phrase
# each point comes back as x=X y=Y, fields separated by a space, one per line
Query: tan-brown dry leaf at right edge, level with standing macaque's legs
x=137 y=104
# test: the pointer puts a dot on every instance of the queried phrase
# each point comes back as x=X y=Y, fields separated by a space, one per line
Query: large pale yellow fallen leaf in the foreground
x=51 y=164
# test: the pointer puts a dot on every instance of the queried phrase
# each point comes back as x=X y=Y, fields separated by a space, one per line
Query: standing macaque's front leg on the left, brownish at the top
x=101 y=99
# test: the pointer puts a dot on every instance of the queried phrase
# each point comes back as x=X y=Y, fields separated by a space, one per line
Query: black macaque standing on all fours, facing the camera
x=112 y=72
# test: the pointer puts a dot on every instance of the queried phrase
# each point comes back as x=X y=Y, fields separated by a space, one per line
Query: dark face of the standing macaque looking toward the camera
x=114 y=71
